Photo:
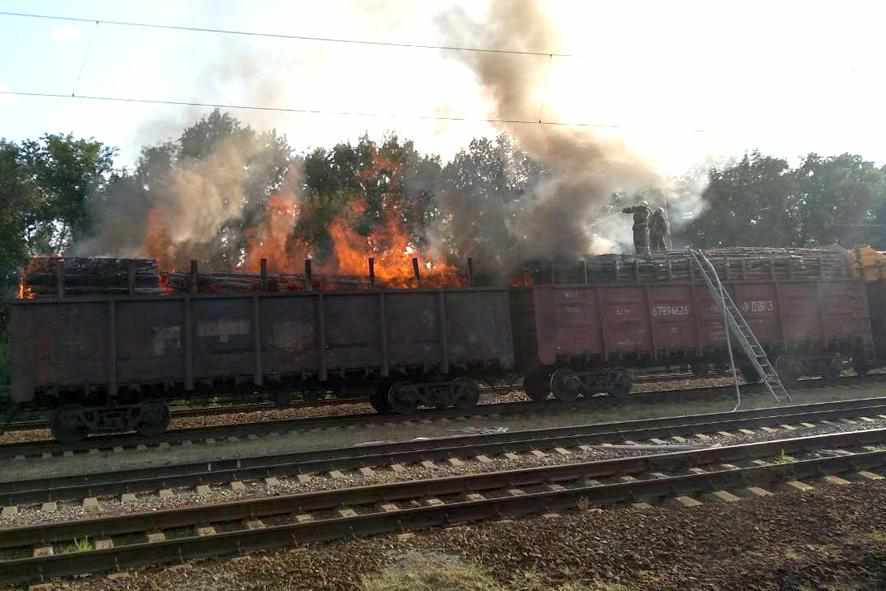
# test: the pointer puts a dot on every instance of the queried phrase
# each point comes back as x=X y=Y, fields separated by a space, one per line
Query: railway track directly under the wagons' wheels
x=233 y=433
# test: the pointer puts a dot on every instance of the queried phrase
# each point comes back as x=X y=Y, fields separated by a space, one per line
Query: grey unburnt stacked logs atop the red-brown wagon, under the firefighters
x=732 y=264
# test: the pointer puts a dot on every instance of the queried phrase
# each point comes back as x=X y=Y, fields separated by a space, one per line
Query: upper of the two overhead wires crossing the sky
x=283 y=36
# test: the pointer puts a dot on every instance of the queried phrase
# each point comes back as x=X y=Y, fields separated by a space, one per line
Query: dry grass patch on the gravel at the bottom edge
x=450 y=574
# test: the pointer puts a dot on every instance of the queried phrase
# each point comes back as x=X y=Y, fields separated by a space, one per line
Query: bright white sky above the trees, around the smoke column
x=683 y=83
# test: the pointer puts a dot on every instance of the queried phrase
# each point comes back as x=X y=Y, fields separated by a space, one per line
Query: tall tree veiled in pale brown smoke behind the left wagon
x=217 y=149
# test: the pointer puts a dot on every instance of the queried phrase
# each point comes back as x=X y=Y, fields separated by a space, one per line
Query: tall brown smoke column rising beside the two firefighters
x=584 y=170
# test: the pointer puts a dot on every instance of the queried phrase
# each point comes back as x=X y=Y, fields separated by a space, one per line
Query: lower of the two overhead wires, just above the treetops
x=309 y=111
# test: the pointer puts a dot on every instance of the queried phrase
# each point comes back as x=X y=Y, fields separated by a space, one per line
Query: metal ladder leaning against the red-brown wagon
x=740 y=327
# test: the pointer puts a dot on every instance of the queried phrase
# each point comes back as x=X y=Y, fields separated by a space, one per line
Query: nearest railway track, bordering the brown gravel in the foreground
x=97 y=545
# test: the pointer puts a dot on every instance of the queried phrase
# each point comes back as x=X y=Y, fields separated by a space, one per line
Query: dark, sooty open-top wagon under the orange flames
x=110 y=363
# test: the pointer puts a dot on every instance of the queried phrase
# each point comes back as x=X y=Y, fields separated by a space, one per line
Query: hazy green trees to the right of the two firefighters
x=761 y=200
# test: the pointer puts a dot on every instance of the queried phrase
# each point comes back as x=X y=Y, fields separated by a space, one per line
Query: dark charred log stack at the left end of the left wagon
x=76 y=276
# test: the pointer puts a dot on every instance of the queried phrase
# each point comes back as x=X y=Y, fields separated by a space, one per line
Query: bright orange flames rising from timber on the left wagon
x=344 y=260
